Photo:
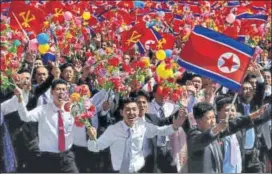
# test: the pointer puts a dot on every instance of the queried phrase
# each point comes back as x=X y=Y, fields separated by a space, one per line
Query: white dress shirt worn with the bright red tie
x=47 y=116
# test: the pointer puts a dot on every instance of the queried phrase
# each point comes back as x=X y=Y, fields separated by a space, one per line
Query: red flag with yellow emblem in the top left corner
x=28 y=16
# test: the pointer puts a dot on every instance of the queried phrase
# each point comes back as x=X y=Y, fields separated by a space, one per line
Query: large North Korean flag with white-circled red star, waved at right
x=216 y=56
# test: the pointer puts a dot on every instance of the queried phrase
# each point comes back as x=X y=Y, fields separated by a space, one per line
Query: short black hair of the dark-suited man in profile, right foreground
x=201 y=108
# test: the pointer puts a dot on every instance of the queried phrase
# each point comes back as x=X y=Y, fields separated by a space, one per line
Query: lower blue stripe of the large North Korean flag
x=223 y=81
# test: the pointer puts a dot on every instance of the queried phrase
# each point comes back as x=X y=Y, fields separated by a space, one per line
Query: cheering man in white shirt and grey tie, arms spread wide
x=125 y=138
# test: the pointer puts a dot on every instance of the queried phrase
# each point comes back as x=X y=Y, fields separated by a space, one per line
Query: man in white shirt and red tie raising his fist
x=54 y=130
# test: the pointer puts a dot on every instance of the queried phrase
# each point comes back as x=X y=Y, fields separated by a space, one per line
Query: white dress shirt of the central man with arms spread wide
x=115 y=138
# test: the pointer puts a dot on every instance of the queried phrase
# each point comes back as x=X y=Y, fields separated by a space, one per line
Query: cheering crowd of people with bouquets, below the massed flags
x=137 y=117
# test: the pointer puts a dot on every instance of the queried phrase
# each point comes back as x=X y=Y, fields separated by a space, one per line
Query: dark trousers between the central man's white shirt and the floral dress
x=165 y=159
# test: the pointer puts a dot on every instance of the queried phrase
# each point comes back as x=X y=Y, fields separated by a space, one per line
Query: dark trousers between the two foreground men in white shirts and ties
x=86 y=161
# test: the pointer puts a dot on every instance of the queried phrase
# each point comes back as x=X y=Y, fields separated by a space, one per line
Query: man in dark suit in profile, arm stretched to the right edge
x=205 y=151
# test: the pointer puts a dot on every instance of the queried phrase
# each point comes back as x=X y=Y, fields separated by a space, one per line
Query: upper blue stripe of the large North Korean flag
x=218 y=37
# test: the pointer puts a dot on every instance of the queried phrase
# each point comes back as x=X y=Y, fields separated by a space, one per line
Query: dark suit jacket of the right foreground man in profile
x=201 y=154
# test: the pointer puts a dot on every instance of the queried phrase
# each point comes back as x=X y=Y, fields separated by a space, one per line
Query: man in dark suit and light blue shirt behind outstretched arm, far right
x=255 y=138
